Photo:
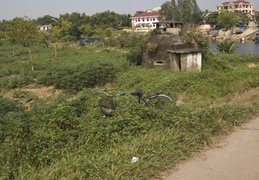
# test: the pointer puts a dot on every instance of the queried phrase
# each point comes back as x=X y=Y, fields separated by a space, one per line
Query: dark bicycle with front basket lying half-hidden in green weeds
x=156 y=100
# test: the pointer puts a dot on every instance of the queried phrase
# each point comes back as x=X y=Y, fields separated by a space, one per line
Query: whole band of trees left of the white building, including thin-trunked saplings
x=105 y=28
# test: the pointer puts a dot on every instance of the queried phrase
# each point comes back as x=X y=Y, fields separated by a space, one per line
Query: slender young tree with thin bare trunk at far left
x=23 y=31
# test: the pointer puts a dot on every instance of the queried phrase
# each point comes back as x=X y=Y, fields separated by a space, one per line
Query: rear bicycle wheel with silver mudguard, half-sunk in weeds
x=160 y=102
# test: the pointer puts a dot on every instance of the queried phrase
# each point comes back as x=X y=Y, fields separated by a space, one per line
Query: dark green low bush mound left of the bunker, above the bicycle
x=76 y=78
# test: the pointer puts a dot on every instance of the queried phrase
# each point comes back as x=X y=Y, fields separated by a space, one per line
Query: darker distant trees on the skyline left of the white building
x=103 y=20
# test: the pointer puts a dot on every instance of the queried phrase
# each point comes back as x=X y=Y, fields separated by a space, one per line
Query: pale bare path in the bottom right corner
x=236 y=157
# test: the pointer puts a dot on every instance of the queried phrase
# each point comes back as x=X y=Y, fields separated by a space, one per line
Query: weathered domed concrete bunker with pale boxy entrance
x=168 y=49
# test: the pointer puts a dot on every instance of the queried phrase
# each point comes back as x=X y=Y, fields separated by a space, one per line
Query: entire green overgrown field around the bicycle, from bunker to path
x=59 y=133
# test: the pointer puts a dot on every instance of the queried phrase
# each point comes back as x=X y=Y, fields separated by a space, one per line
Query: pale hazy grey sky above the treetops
x=10 y=9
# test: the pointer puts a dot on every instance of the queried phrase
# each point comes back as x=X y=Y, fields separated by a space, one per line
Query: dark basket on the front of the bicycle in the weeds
x=107 y=106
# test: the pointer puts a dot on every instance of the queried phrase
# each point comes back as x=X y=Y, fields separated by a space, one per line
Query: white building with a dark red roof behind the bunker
x=145 y=21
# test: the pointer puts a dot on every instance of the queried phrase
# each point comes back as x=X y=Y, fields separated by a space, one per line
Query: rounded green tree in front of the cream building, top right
x=227 y=19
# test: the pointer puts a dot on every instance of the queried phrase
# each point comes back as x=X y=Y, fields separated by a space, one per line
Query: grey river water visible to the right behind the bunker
x=247 y=47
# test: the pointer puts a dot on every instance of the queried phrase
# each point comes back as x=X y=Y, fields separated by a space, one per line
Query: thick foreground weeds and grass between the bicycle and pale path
x=55 y=135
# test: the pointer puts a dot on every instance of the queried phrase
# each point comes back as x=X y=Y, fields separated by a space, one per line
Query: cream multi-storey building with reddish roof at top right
x=237 y=6
